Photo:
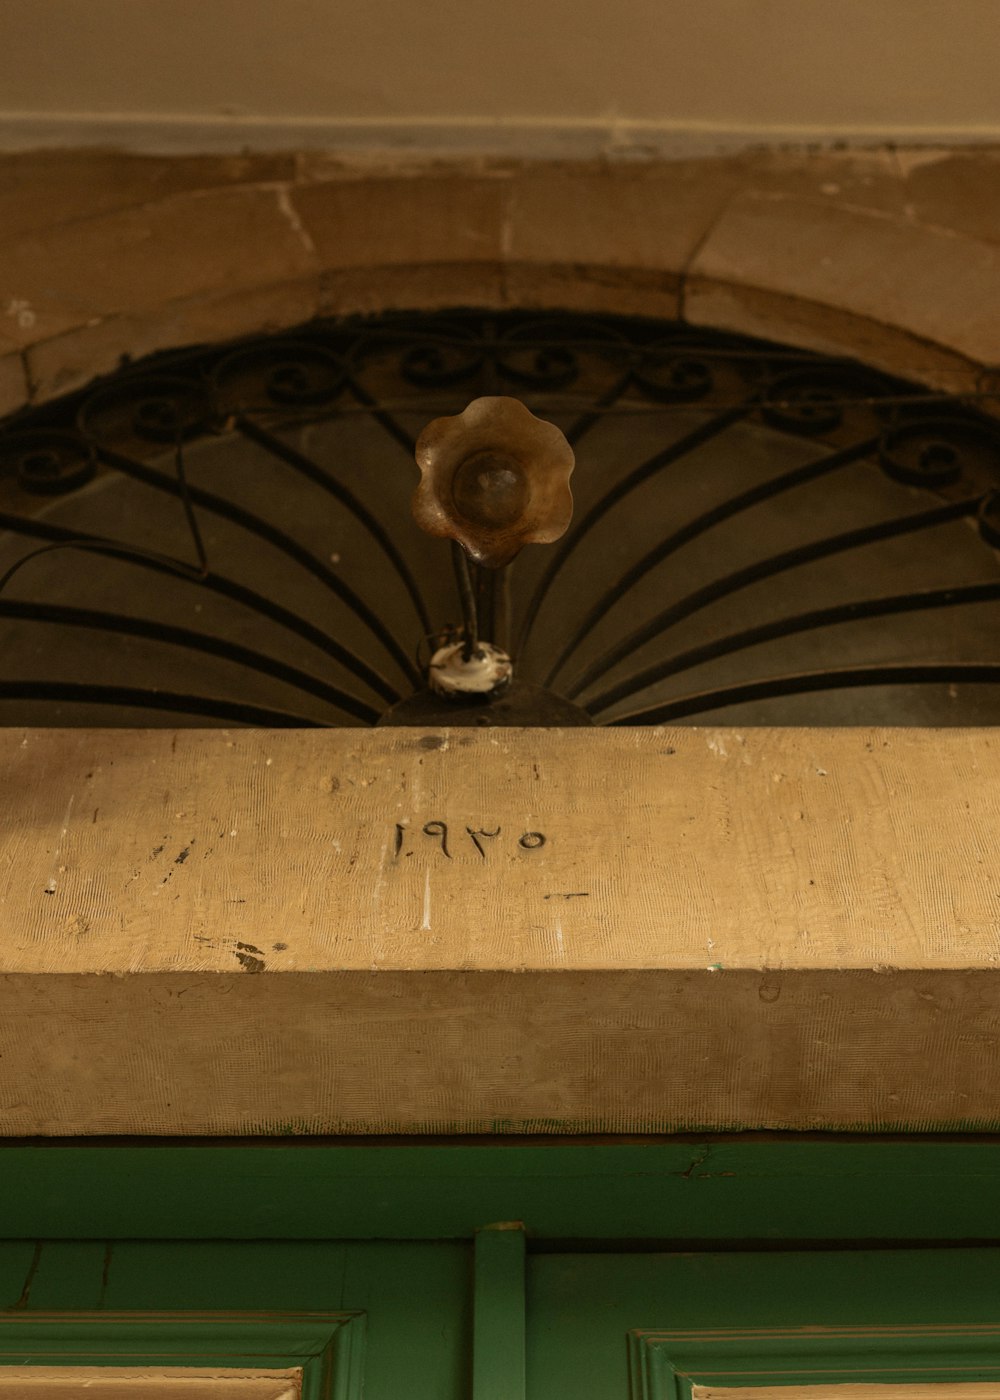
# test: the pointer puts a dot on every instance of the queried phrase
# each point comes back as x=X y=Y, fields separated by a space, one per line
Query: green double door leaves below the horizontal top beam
x=494 y=1321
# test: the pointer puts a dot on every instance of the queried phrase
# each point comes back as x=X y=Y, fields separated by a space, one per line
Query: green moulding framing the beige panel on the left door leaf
x=327 y=1347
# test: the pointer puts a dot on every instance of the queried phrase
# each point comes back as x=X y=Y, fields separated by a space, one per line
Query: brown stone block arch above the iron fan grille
x=889 y=258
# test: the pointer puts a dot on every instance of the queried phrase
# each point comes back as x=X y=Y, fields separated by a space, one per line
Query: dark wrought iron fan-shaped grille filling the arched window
x=761 y=535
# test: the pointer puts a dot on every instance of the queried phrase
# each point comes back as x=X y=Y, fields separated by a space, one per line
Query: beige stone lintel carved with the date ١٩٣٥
x=310 y=932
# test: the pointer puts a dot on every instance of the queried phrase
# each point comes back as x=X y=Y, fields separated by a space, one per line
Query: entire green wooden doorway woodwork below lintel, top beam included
x=376 y=1270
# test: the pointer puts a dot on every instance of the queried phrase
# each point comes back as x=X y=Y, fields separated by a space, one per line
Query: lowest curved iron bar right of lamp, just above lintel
x=949 y=673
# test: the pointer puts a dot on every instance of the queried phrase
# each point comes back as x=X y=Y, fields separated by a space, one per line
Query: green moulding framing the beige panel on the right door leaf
x=669 y=1366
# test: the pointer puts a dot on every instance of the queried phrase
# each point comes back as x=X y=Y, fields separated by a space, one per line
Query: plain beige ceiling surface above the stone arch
x=502 y=73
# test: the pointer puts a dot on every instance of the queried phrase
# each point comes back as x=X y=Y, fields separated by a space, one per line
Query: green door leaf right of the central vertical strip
x=585 y=1311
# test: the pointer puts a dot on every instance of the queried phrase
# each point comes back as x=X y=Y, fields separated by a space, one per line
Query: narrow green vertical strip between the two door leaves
x=499 y=1314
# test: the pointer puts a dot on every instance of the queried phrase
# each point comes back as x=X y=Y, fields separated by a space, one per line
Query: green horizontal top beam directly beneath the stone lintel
x=725 y=1189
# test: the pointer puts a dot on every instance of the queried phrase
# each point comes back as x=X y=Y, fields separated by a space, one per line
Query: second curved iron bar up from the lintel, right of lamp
x=889 y=607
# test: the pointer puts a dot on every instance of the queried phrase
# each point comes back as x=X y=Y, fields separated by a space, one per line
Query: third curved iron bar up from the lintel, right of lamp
x=789 y=559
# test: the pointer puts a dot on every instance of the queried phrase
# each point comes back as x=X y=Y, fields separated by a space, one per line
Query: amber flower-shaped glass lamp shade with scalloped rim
x=494 y=478
